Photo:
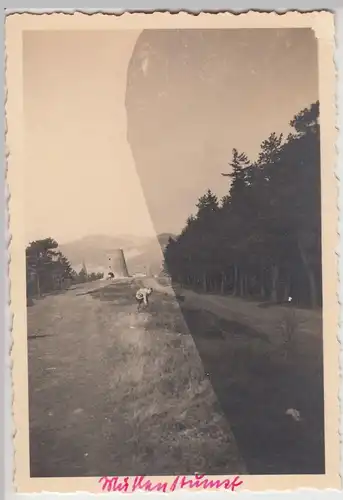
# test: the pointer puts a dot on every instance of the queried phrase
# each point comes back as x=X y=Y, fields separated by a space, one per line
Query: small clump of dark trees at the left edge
x=48 y=270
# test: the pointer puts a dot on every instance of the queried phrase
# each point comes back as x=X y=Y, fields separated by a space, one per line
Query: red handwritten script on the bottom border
x=141 y=483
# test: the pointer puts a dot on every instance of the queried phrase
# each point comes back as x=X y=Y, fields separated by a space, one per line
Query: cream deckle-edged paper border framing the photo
x=322 y=23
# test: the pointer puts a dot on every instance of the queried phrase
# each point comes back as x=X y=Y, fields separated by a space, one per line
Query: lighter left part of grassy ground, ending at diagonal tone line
x=116 y=392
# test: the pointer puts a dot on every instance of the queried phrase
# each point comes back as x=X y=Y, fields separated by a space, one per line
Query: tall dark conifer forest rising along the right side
x=262 y=239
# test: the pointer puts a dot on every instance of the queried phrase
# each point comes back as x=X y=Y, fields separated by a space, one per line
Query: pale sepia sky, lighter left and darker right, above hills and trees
x=125 y=130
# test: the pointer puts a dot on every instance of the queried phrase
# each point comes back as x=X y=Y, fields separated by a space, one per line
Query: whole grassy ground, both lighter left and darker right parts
x=175 y=389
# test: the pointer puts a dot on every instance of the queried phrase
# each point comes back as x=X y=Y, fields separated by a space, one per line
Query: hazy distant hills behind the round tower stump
x=141 y=254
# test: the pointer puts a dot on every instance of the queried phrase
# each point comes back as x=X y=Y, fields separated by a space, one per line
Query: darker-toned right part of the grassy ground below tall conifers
x=255 y=385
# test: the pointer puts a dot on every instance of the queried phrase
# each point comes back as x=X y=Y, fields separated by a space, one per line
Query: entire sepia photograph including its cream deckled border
x=172 y=227
